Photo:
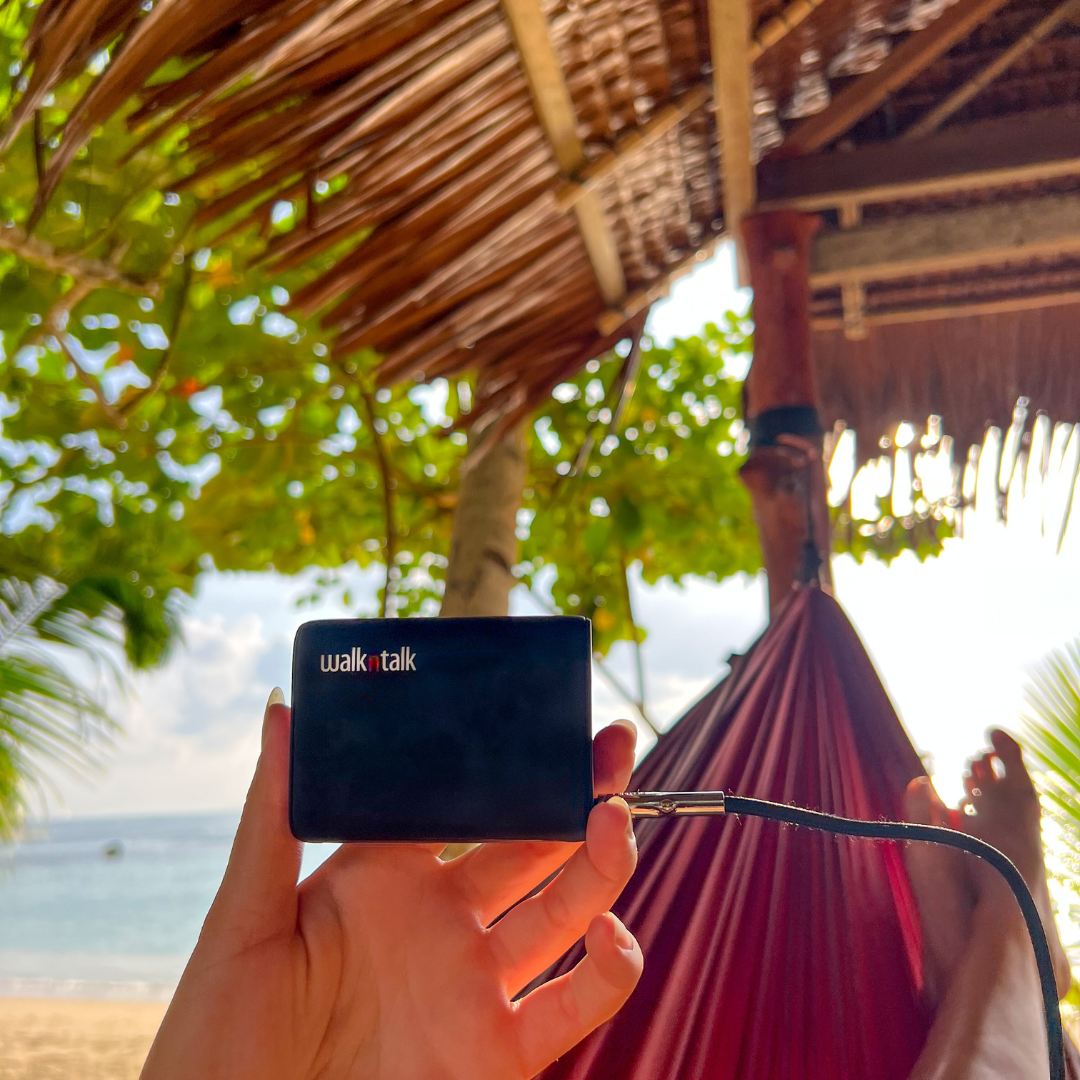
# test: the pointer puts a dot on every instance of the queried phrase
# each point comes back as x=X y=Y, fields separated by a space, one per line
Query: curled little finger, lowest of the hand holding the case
x=561 y=1014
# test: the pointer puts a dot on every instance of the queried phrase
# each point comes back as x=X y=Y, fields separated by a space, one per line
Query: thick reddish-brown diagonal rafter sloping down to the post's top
x=902 y=65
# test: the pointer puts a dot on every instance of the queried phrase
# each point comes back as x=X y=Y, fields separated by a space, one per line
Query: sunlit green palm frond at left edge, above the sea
x=47 y=718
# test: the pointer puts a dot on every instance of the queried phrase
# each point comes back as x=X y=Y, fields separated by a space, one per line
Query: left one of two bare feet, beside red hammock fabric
x=943 y=890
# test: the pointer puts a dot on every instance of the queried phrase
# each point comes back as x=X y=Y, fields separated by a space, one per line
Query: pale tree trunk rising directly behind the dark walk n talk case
x=483 y=543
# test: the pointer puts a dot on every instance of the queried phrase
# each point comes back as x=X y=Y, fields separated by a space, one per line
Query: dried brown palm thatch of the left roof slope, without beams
x=470 y=261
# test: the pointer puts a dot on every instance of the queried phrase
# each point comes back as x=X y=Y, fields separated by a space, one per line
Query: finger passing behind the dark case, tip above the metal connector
x=496 y=876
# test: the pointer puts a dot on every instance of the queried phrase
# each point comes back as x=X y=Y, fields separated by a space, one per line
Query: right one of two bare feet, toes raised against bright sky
x=1003 y=809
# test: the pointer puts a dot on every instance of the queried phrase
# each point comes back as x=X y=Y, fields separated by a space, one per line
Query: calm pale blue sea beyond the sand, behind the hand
x=111 y=908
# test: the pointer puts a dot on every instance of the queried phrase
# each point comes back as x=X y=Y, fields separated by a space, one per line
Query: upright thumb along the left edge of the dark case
x=258 y=898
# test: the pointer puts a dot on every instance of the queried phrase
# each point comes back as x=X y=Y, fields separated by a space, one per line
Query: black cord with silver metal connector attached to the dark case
x=699 y=804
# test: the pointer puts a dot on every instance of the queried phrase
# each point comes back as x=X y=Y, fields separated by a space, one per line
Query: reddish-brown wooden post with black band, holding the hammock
x=785 y=471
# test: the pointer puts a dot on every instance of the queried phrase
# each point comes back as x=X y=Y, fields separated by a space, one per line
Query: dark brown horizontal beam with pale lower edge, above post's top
x=990 y=154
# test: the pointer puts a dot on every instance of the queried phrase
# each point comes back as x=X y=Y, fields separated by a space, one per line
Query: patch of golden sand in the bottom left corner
x=74 y=1039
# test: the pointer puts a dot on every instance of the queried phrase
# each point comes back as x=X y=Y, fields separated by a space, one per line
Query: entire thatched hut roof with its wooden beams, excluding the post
x=531 y=175
